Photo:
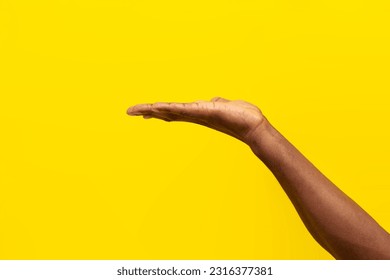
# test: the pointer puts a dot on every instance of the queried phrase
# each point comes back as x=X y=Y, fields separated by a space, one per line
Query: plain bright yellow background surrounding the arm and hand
x=79 y=179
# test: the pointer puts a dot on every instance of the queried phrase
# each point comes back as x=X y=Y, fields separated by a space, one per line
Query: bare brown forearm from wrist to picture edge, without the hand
x=333 y=219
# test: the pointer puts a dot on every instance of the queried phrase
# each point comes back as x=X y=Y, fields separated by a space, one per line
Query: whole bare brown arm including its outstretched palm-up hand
x=335 y=221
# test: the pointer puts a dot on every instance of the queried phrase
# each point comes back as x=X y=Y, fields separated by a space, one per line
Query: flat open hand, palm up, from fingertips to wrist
x=236 y=118
